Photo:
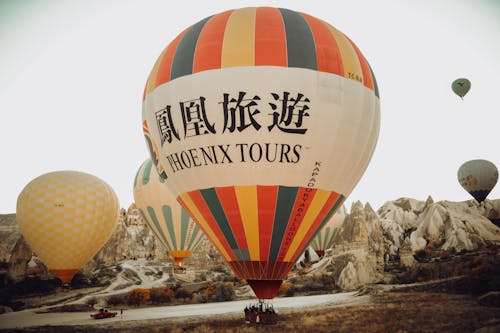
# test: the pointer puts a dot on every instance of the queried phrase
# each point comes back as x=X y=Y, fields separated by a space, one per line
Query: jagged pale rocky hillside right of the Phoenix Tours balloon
x=403 y=235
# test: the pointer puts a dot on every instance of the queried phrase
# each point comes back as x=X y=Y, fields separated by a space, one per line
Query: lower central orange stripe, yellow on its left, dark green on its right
x=266 y=201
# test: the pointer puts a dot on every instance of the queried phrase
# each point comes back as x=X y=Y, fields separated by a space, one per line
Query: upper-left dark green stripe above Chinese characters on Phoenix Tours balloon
x=182 y=63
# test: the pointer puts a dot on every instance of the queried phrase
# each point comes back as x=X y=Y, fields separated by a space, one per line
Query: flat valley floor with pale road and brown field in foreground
x=382 y=311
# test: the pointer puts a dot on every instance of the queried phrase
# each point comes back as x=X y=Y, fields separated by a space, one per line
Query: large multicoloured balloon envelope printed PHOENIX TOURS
x=263 y=119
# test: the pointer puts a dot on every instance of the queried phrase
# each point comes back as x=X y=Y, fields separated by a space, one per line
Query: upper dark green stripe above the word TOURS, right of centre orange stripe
x=301 y=50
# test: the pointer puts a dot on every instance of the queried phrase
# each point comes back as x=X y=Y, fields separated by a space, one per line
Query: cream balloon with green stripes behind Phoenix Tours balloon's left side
x=171 y=224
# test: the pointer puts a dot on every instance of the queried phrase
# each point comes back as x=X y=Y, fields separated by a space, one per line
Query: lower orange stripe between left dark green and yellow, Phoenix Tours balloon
x=229 y=202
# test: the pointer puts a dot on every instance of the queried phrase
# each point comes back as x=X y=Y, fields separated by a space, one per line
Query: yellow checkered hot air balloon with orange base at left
x=66 y=217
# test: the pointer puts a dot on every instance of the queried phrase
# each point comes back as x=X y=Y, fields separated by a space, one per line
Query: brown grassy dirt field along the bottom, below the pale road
x=385 y=312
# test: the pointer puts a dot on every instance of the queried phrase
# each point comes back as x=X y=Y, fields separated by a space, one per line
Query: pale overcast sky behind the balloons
x=72 y=74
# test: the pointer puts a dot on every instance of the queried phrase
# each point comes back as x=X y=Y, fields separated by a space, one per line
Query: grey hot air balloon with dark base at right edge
x=478 y=178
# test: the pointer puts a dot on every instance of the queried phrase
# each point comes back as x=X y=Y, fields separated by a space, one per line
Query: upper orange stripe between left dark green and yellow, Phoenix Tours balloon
x=208 y=54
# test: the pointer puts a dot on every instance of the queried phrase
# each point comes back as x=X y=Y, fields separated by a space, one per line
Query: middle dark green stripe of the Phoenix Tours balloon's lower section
x=284 y=207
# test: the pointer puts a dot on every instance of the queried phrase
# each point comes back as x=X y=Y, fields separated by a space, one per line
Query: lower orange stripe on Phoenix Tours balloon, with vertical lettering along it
x=302 y=203
